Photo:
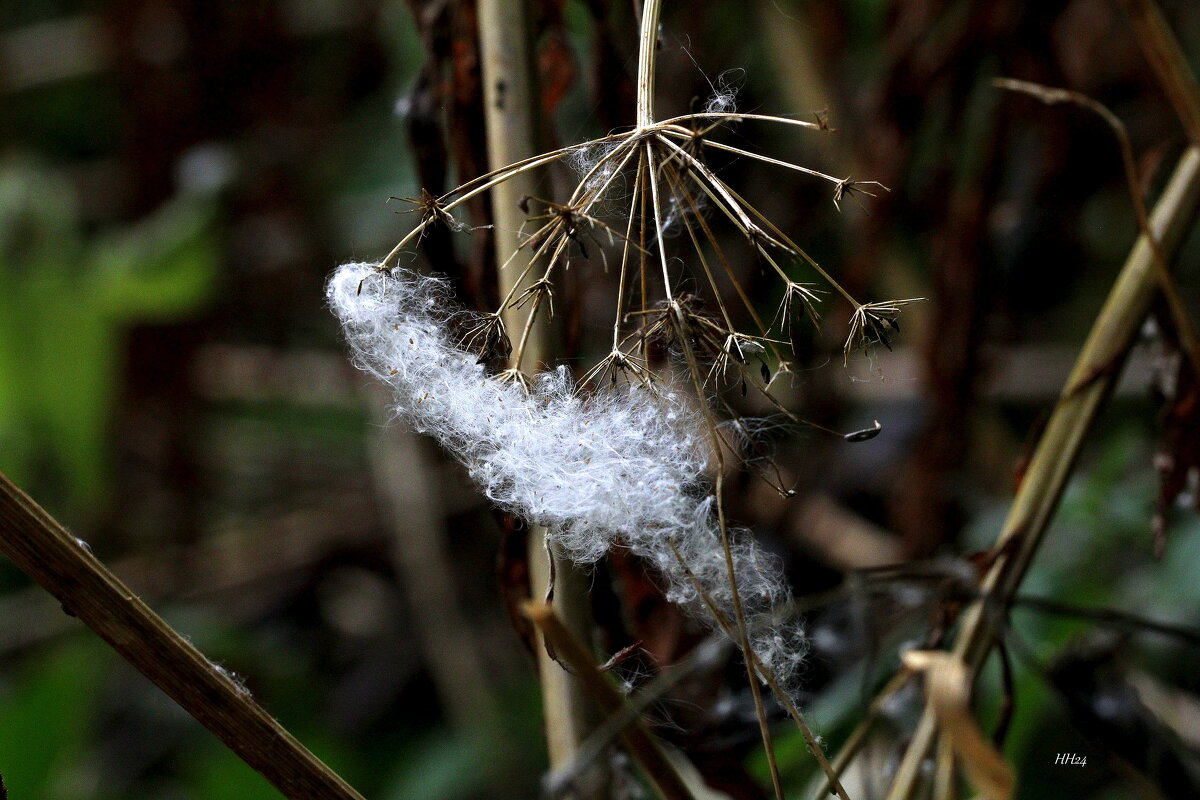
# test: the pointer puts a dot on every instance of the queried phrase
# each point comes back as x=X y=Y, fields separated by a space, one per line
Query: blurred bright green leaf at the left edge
x=69 y=298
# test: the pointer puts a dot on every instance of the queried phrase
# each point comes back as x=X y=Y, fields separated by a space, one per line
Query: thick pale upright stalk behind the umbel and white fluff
x=512 y=104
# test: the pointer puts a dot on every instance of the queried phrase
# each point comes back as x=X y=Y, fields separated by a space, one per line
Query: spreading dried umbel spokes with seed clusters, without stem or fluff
x=674 y=189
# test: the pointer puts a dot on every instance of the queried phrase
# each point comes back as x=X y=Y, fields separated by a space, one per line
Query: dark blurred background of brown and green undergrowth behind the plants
x=177 y=181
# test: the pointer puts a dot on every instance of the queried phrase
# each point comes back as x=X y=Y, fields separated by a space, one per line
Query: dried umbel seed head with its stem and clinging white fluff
x=626 y=464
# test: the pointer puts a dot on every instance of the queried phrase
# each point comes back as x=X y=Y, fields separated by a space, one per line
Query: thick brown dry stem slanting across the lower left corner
x=67 y=568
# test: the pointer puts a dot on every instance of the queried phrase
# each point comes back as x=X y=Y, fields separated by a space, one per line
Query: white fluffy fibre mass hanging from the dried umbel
x=619 y=468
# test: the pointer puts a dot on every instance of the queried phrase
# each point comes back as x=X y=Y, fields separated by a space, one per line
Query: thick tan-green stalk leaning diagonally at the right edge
x=1088 y=388
